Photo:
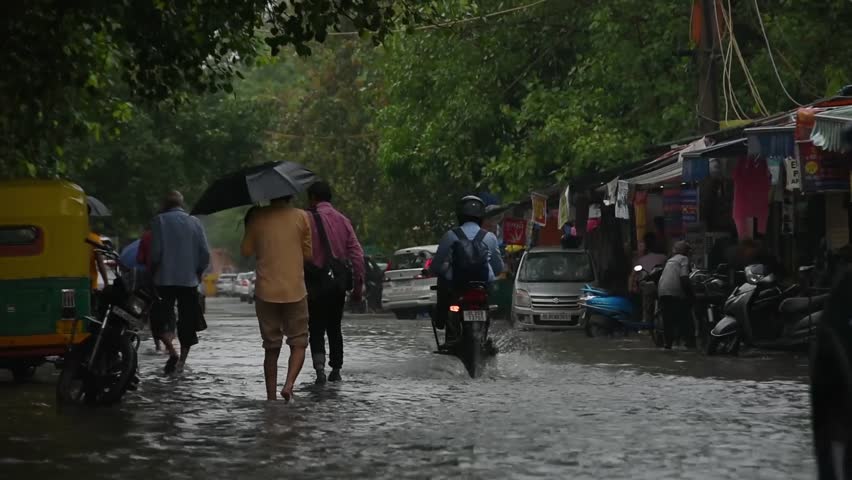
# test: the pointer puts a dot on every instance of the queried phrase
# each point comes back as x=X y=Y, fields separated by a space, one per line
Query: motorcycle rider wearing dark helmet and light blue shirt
x=470 y=211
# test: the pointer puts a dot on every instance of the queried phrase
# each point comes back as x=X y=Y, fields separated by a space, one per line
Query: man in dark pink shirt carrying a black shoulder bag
x=337 y=265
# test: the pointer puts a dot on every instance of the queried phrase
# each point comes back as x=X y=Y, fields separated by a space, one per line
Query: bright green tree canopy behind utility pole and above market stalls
x=564 y=87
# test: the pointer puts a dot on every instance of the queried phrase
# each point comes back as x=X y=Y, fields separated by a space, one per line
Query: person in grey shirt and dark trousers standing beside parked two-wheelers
x=675 y=294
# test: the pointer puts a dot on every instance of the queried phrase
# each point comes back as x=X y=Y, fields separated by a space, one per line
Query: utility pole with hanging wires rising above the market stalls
x=708 y=73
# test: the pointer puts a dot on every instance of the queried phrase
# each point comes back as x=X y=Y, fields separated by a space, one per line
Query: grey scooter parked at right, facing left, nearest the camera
x=760 y=313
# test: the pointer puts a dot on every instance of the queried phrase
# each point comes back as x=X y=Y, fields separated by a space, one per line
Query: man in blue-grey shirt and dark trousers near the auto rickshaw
x=179 y=256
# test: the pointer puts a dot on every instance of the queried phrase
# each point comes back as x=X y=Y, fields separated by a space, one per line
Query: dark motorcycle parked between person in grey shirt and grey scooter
x=711 y=290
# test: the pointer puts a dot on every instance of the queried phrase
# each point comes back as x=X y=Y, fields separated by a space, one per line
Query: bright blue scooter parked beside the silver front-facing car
x=605 y=314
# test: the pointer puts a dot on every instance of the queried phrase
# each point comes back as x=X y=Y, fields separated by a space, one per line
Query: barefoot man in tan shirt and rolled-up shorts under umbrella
x=280 y=237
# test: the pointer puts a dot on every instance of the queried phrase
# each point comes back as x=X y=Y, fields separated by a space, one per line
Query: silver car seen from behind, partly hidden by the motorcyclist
x=406 y=291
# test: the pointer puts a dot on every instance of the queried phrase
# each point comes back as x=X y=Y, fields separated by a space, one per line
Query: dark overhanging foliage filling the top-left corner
x=74 y=69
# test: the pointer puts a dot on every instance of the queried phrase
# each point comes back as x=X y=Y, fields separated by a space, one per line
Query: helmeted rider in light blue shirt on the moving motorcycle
x=470 y=211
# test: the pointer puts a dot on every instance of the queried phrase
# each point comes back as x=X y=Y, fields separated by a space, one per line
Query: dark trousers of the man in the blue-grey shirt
x=189 y=317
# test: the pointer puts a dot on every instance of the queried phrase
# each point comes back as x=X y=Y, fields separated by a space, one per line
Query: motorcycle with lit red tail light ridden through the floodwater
x=471 y=313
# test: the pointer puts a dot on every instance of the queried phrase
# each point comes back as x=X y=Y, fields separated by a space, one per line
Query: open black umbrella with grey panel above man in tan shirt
x=254 y=185
